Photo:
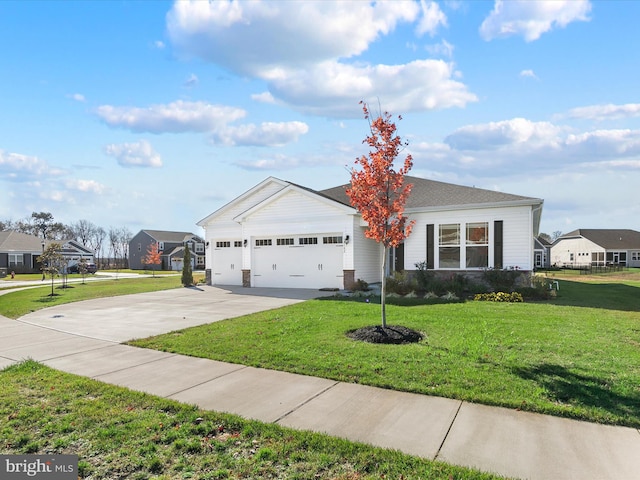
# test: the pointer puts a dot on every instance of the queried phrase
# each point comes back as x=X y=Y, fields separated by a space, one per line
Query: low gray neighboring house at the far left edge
x=19 y=251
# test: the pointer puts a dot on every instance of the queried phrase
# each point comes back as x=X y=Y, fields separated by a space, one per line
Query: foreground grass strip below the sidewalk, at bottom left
x=122 y=434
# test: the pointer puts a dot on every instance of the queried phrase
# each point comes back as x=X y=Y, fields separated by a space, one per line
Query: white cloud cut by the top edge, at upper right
x=532 y=18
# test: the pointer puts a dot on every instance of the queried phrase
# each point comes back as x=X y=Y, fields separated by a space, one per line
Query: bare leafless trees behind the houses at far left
x=110 y=247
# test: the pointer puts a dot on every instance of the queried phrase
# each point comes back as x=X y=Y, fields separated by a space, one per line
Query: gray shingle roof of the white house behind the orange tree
x=430 y=193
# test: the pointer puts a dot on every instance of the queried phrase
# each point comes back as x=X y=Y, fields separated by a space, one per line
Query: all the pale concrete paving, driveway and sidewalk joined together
x=83 y=338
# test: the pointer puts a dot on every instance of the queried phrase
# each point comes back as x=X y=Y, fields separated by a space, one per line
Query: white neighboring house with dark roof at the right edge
x=597 y=247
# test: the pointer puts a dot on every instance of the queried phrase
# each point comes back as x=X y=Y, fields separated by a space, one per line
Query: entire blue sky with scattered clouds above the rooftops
x=144 y=114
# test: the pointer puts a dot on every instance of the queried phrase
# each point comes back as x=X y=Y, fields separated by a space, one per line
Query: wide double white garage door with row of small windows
x=299 y=261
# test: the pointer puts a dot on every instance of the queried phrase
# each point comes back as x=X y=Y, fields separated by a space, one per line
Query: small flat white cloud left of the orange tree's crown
x=266 y=134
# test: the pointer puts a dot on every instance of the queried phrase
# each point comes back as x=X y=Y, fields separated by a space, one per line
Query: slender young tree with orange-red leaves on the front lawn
x=378 y=190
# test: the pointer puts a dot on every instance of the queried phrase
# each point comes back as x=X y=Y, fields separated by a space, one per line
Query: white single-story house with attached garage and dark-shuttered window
x=279 y=234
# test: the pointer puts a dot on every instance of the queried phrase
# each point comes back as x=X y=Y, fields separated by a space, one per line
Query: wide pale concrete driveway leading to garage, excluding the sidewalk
x=118 y=319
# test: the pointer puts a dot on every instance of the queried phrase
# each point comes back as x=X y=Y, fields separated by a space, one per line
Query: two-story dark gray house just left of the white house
x=171 y=245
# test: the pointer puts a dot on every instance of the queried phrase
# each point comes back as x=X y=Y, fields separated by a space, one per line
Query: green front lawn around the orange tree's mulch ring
x=577 y=356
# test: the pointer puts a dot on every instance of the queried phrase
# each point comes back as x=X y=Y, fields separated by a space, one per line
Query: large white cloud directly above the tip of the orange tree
x=334 y=89
